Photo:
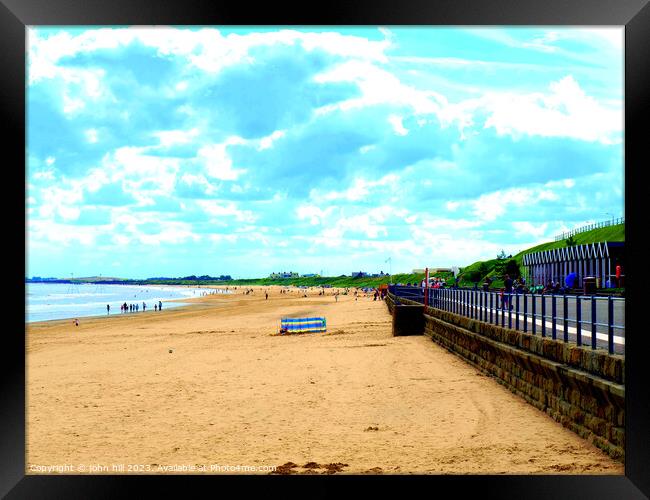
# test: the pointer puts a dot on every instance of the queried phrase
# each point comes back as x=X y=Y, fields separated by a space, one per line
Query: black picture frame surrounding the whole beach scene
x=15 y=15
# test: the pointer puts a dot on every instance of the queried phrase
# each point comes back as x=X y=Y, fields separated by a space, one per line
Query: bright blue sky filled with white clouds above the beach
x=170 y=151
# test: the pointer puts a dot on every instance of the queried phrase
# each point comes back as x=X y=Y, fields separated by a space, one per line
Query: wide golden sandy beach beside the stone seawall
x=211 y=388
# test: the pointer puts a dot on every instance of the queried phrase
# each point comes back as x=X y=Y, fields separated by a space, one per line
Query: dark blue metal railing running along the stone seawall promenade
x=583 y=319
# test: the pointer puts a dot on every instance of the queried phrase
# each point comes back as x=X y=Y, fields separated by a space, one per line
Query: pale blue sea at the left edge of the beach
x=48 y=301
